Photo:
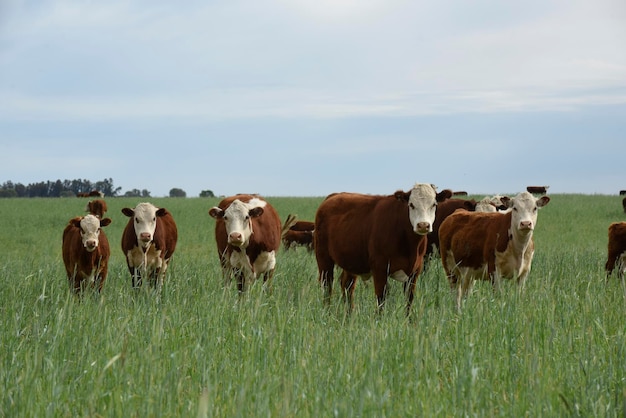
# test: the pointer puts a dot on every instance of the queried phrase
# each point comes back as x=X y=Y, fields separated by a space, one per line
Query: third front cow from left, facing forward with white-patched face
x=248 y=235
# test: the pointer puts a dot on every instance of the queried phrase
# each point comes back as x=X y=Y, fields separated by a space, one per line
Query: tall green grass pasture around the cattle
x=556 y=349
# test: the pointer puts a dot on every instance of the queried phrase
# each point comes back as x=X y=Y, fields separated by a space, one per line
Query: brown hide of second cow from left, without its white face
x=164 y=240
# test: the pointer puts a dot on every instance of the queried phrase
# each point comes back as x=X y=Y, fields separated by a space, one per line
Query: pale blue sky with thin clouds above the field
x=311 y=97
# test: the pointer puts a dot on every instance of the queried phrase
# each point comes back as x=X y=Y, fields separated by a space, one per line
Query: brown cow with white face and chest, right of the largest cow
x=489 y=246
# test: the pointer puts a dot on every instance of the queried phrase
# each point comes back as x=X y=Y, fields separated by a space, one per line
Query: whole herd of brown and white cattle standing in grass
x=367 y=236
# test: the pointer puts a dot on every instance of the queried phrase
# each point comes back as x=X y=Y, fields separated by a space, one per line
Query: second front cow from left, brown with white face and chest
x=148 y=243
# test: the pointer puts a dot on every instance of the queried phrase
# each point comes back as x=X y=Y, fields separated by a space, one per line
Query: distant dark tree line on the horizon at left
x=70 y=188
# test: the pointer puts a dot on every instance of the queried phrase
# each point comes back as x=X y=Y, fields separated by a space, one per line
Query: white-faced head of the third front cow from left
x=238 y=220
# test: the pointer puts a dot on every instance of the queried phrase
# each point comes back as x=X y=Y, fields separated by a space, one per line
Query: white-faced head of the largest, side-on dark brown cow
x=422 y=202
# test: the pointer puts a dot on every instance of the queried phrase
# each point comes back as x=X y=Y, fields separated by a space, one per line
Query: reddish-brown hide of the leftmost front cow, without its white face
x=80 y=263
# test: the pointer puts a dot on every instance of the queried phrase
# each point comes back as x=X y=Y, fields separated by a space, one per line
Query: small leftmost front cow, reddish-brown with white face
x=86 y=252
